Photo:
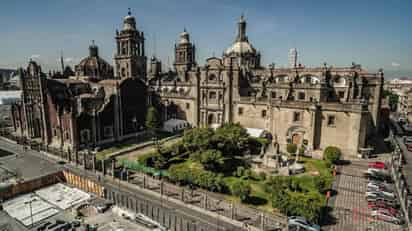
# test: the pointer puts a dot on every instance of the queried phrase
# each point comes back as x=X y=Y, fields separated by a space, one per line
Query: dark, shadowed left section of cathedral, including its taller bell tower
x=98 y=106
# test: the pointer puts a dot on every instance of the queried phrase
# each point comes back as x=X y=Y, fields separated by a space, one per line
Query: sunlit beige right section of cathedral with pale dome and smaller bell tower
x=317 y=107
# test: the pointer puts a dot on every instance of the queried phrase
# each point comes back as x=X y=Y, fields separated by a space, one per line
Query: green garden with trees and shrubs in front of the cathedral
x=216 y=160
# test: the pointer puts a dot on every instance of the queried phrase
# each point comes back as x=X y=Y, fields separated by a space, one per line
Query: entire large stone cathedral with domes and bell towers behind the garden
x=100 y=105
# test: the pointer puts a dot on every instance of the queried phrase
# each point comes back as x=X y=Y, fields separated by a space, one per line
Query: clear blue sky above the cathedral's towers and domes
x=376 y=34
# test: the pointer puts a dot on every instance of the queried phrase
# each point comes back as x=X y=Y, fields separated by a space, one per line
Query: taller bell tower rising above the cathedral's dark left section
x=130 y=60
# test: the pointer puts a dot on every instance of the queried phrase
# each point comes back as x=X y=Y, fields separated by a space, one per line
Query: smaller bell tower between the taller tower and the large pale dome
x=184 y=53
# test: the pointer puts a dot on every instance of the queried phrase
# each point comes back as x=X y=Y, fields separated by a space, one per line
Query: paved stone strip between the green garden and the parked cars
x=350 y=208
